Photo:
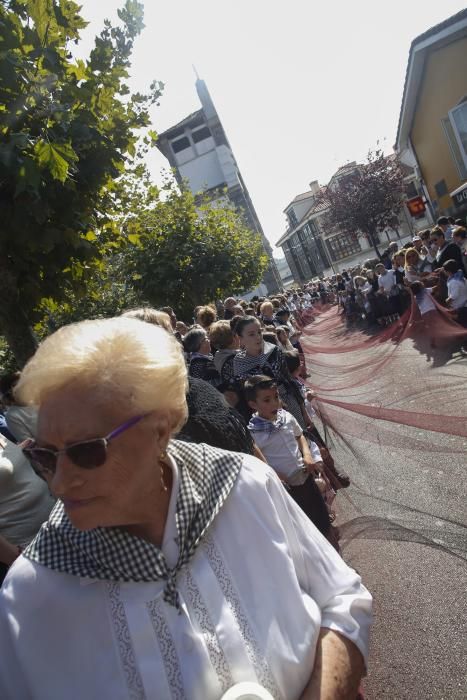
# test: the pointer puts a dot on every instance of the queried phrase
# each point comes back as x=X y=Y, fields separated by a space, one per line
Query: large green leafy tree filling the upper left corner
x=67 y=129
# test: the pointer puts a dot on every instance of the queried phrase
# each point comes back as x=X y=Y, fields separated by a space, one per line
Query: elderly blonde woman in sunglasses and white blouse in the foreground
x=166 y=569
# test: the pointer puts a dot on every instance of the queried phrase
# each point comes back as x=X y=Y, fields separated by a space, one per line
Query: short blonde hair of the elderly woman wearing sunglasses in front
x=124 y=357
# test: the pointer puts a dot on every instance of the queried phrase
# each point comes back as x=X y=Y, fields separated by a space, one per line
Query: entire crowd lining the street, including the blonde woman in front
x=216 y=446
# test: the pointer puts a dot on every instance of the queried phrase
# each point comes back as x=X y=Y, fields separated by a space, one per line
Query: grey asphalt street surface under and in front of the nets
x=403 y=521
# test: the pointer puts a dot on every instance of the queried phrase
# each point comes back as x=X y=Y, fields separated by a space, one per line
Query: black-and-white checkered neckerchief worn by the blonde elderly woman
x=206 y=477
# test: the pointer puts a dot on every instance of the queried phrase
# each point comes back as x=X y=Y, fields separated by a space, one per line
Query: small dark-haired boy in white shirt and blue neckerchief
x=280 y=438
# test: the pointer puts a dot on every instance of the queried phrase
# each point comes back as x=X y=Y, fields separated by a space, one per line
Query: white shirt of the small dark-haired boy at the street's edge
x=280 y=447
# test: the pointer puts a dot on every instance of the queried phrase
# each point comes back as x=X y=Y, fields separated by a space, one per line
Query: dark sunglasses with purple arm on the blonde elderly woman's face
x=87 y=454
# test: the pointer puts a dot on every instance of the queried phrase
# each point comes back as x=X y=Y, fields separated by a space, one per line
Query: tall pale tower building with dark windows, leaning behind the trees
x=200 y=154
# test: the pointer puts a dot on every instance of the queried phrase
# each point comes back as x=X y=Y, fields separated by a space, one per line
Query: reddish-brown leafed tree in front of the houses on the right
x=367 y=199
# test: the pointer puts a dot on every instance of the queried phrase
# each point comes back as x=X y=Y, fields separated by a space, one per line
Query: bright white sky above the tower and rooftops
x=301 y=87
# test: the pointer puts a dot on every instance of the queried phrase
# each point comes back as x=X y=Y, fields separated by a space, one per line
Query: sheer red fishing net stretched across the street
x=380 y=386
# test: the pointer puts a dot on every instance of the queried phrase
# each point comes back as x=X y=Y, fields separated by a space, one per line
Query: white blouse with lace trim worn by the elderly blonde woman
x=253 y=599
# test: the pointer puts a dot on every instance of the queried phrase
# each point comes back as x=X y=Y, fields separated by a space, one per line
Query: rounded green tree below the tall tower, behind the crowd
x=187 y=251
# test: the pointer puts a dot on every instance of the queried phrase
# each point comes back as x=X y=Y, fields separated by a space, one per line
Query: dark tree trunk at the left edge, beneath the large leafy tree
x=14 y=325
